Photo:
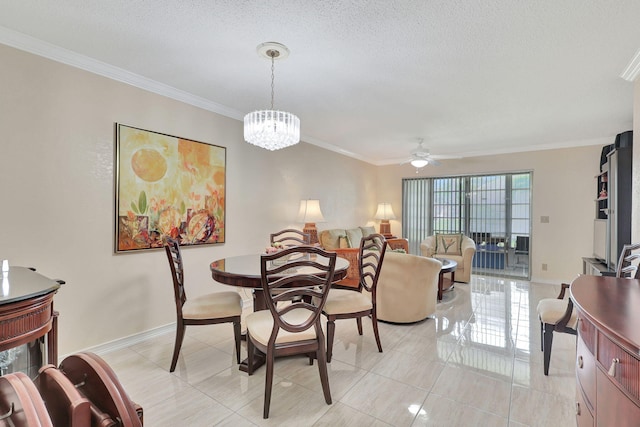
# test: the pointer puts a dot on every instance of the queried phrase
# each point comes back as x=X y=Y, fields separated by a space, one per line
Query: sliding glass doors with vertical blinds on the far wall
x=494 y=210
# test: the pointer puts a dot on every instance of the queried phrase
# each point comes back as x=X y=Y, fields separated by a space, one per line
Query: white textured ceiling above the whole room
x=367 y=78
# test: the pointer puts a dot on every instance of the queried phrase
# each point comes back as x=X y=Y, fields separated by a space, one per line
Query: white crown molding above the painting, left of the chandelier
x=47 y=50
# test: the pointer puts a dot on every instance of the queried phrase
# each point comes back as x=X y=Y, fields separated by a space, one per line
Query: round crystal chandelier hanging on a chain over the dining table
x=272 y=129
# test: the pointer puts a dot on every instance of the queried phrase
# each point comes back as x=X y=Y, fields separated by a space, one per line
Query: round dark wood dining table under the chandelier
x=244 y=271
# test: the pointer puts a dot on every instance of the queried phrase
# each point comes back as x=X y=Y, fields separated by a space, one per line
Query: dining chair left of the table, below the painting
x=209 y=309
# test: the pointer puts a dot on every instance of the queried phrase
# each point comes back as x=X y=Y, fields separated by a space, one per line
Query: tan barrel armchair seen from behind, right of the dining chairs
x=407 y=287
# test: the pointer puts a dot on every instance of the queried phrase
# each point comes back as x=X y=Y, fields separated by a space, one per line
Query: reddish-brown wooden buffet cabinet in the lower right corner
x=608 y=351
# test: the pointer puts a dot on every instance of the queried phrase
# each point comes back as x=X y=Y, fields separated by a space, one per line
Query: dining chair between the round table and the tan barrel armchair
x=360 y=302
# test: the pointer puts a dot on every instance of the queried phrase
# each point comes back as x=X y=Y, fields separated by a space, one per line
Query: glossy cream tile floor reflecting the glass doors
x=477 y=362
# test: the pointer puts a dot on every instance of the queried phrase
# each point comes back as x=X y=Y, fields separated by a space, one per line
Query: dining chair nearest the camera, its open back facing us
x=295 y=276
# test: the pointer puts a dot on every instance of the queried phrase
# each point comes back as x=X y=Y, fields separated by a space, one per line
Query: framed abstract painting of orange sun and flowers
x=167 y=186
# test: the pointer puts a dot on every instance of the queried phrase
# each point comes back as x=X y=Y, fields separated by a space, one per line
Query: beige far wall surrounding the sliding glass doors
x=563 y=189
